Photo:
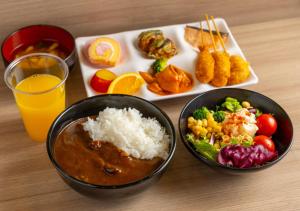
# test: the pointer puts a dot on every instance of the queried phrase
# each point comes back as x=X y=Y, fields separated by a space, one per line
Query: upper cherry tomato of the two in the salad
x=266 y=124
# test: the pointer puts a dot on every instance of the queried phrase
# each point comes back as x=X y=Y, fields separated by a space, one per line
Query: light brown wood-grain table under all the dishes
x=268 y=33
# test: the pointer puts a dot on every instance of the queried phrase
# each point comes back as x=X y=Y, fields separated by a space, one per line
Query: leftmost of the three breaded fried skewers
x=204 y=70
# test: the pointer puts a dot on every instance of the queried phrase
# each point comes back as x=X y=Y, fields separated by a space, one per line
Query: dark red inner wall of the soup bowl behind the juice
x=31 y=35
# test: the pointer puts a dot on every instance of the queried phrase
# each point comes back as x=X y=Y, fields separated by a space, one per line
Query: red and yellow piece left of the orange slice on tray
x=101 y=80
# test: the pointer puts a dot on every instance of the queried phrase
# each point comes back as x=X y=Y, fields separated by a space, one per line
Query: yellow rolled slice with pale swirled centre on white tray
x=104 y=51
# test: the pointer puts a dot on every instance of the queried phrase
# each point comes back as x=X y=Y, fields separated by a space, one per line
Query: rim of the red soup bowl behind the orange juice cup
x=72 y=53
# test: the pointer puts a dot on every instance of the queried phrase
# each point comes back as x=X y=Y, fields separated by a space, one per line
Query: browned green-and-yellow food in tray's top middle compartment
x=155 y=45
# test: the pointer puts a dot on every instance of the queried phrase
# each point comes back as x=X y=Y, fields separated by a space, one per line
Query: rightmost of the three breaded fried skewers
x=239 y=70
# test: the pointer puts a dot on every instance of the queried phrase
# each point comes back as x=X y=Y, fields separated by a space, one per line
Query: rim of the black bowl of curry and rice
x=121 y=186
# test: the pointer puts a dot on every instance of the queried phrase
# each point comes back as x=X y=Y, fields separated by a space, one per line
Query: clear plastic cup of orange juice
x=38 y=83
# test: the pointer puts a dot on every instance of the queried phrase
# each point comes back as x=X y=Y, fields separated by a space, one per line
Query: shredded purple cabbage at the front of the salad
x=245 y=157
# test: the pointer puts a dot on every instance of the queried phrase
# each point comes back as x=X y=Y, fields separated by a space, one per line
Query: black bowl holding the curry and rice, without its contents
x=92 y=106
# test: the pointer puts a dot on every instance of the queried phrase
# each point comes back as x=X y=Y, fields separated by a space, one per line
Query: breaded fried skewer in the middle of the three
x=222 y=68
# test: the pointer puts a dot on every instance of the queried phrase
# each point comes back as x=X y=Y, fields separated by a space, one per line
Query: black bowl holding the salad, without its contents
x=282 y=138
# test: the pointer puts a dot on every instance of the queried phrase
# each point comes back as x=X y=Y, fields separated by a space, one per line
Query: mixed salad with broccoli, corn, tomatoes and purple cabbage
x=233 y=134
